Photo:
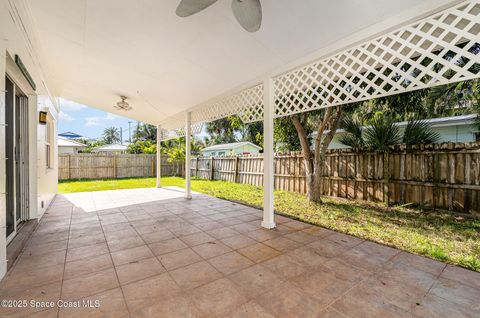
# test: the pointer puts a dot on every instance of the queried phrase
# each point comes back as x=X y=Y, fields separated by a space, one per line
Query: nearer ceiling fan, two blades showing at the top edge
x=247 y=12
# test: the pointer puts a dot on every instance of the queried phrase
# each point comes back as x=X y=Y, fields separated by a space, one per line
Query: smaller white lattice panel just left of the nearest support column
x=248 y=104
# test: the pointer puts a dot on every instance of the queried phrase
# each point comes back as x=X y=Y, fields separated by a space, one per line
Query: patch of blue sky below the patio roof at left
x=89 y=122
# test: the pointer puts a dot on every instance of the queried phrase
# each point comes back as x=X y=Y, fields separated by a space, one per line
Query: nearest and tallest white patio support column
x=268 y=154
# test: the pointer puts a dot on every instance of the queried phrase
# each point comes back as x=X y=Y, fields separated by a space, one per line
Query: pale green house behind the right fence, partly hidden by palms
x=451 y=129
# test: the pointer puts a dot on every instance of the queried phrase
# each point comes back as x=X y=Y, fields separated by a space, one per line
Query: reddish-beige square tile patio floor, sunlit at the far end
x=150 y=253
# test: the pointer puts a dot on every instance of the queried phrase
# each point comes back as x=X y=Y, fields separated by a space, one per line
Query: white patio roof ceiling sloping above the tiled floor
x=94 y=51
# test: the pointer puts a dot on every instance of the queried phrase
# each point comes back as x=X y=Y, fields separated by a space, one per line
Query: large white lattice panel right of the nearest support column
x=441 y=49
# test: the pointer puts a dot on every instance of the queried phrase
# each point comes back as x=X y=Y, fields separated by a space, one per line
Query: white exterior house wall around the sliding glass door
x=43 y=181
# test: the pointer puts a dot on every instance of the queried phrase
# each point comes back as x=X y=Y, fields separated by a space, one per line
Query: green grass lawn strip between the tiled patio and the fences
x=439 y=235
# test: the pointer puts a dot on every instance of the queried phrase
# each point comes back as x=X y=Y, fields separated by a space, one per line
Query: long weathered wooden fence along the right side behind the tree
x=444 y=176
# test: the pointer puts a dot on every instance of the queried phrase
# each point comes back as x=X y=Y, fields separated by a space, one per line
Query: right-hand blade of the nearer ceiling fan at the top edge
x=248 y=13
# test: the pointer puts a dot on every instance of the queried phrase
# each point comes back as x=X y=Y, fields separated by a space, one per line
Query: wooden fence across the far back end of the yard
x=105 y=166
